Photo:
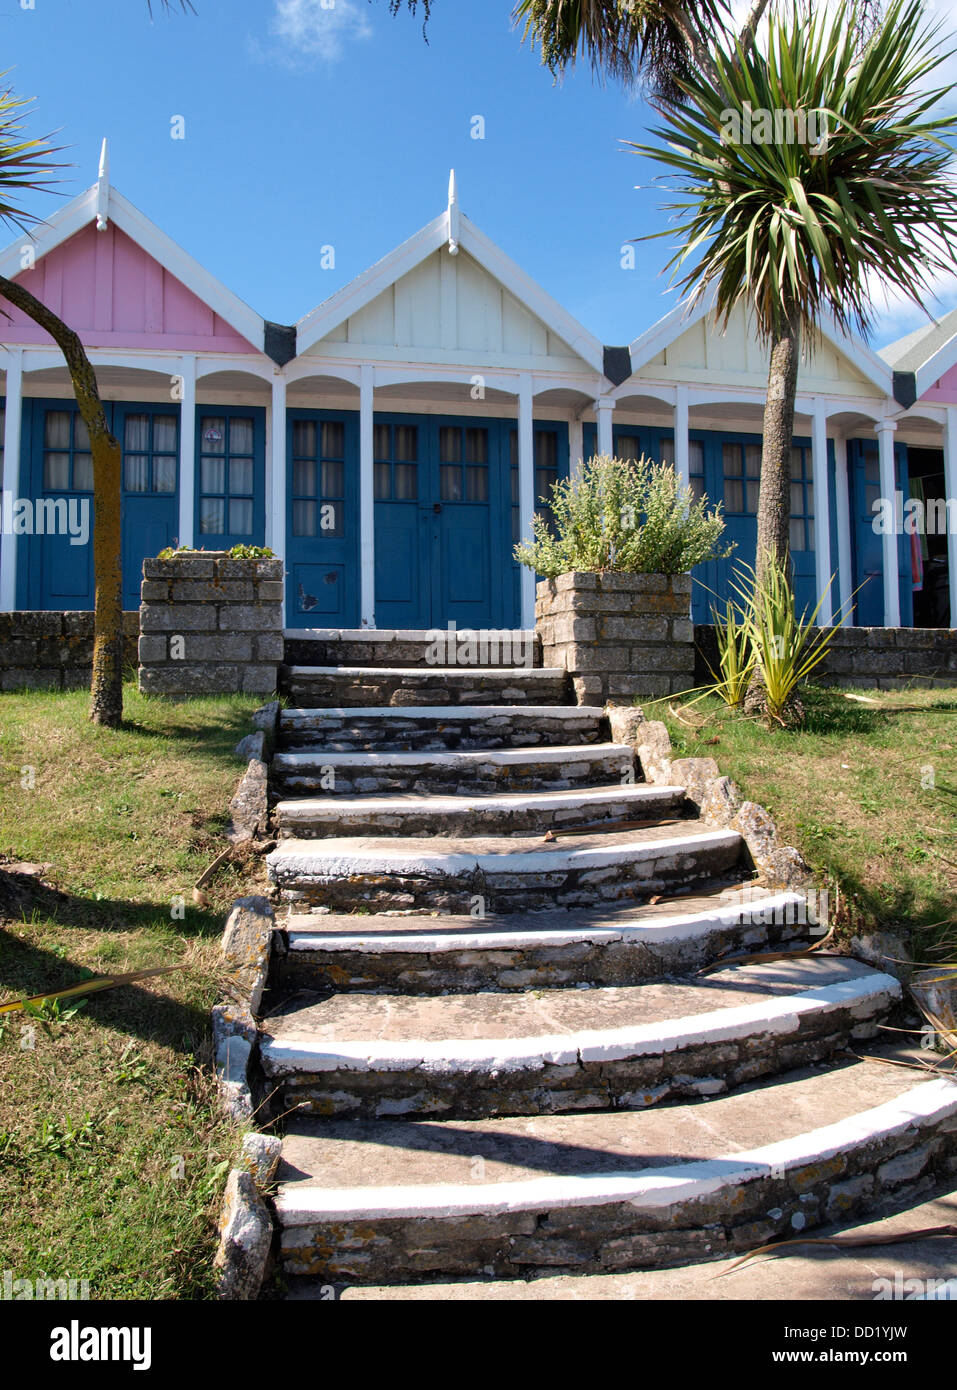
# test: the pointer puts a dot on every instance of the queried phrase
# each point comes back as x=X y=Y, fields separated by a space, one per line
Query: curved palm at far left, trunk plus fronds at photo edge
x=26 y=166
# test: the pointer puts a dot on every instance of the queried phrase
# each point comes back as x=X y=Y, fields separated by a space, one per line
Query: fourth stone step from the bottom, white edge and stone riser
x=501 y=874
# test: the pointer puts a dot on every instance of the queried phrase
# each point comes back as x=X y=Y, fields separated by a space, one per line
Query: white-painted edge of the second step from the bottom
x=444 y=1057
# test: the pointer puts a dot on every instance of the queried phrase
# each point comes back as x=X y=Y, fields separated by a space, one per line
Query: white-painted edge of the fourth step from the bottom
x=343 y=857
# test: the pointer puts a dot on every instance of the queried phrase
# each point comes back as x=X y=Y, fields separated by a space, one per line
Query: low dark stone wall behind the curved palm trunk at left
x=42 y=651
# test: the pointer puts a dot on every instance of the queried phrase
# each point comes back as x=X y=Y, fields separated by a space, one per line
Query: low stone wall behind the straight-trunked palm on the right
x=887 y=658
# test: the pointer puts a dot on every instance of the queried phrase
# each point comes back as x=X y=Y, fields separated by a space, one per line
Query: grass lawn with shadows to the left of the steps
x=113 y=1153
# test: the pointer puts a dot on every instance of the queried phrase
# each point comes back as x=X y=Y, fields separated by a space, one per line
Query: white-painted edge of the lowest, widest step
x=920 y=1109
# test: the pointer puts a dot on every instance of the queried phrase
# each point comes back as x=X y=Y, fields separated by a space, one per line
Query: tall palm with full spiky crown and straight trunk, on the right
x=795 y=230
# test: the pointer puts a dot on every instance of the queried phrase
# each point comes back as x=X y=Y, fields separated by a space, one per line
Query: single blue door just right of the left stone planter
x=323 y=519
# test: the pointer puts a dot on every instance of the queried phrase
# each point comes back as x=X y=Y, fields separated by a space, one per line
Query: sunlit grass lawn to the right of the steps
x=866 y=792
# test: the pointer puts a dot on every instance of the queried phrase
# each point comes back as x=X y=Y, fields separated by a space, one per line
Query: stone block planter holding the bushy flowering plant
x=618 y=636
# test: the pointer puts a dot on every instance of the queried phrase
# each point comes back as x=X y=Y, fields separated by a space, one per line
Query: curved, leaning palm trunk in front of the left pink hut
x=106 y=690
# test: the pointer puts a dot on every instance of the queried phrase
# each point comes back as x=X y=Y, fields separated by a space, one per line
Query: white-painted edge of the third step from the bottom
x=668 y=929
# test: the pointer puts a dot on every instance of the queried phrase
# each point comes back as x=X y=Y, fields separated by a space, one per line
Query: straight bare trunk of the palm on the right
x=775 y=491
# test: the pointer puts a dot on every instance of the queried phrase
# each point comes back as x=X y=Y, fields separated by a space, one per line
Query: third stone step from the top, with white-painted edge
x=436 y=728
